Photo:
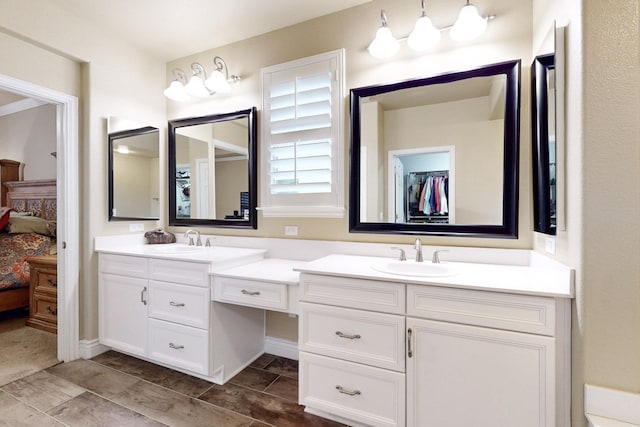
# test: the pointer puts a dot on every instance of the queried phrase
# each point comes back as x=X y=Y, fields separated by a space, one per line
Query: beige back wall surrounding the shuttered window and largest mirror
x=352 y=30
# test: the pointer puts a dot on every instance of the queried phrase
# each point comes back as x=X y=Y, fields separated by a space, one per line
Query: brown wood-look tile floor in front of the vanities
x=114 y=389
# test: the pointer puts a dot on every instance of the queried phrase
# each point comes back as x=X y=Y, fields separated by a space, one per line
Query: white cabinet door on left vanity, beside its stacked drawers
x=123 y=313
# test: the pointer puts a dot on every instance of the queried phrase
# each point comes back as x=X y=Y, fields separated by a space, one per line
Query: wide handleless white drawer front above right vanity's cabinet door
x=522 y=313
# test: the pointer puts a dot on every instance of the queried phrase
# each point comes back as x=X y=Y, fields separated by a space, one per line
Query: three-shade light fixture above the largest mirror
x=469 y=25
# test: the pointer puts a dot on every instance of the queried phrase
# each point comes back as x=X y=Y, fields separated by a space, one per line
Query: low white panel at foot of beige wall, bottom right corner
x=616 y=405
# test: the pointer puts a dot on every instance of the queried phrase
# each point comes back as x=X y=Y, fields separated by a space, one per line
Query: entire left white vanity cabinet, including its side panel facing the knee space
x=161 y=310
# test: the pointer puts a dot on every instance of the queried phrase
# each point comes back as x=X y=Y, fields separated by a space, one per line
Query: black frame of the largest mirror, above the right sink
x=509 y=226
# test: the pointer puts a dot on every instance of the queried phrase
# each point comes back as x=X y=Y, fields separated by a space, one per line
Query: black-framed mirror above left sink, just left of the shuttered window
x=213 y=170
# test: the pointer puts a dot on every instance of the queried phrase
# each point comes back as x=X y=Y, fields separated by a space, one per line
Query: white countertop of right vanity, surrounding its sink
x=541 y=281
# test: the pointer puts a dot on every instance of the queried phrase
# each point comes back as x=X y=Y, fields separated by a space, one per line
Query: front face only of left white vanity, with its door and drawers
x=156 y=308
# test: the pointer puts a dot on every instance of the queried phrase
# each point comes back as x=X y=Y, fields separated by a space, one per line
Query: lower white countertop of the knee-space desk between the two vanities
x=273 y=270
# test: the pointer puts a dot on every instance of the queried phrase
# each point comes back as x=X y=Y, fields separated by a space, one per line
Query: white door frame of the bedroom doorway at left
x=68 y=229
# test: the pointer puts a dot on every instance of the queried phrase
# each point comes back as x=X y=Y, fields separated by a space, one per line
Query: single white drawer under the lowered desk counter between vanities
x=252 y=293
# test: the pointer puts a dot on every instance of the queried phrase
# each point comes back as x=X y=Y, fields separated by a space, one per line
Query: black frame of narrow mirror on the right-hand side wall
x=540 y=143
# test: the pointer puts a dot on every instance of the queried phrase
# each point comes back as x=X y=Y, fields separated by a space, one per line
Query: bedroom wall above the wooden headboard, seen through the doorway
x=29 y=137
